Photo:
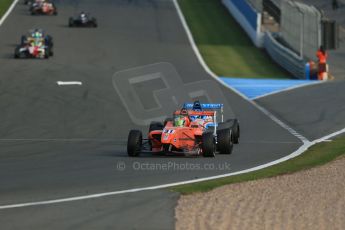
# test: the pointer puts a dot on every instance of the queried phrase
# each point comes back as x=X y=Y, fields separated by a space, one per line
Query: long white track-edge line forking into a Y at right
x=303 y=148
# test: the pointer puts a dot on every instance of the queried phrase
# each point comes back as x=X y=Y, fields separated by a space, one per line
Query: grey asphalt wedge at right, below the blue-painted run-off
x=314 y=111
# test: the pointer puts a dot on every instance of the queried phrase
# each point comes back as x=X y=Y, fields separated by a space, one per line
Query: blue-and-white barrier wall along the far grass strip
x=255 y=34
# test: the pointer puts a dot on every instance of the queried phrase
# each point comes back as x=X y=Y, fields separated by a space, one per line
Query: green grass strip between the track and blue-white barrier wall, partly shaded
x=224 y=45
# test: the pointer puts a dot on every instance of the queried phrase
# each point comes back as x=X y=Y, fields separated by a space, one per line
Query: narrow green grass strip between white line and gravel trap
x=317 y=155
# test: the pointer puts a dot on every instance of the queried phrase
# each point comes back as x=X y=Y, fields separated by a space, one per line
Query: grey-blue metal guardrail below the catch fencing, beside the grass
x=287 y=59
